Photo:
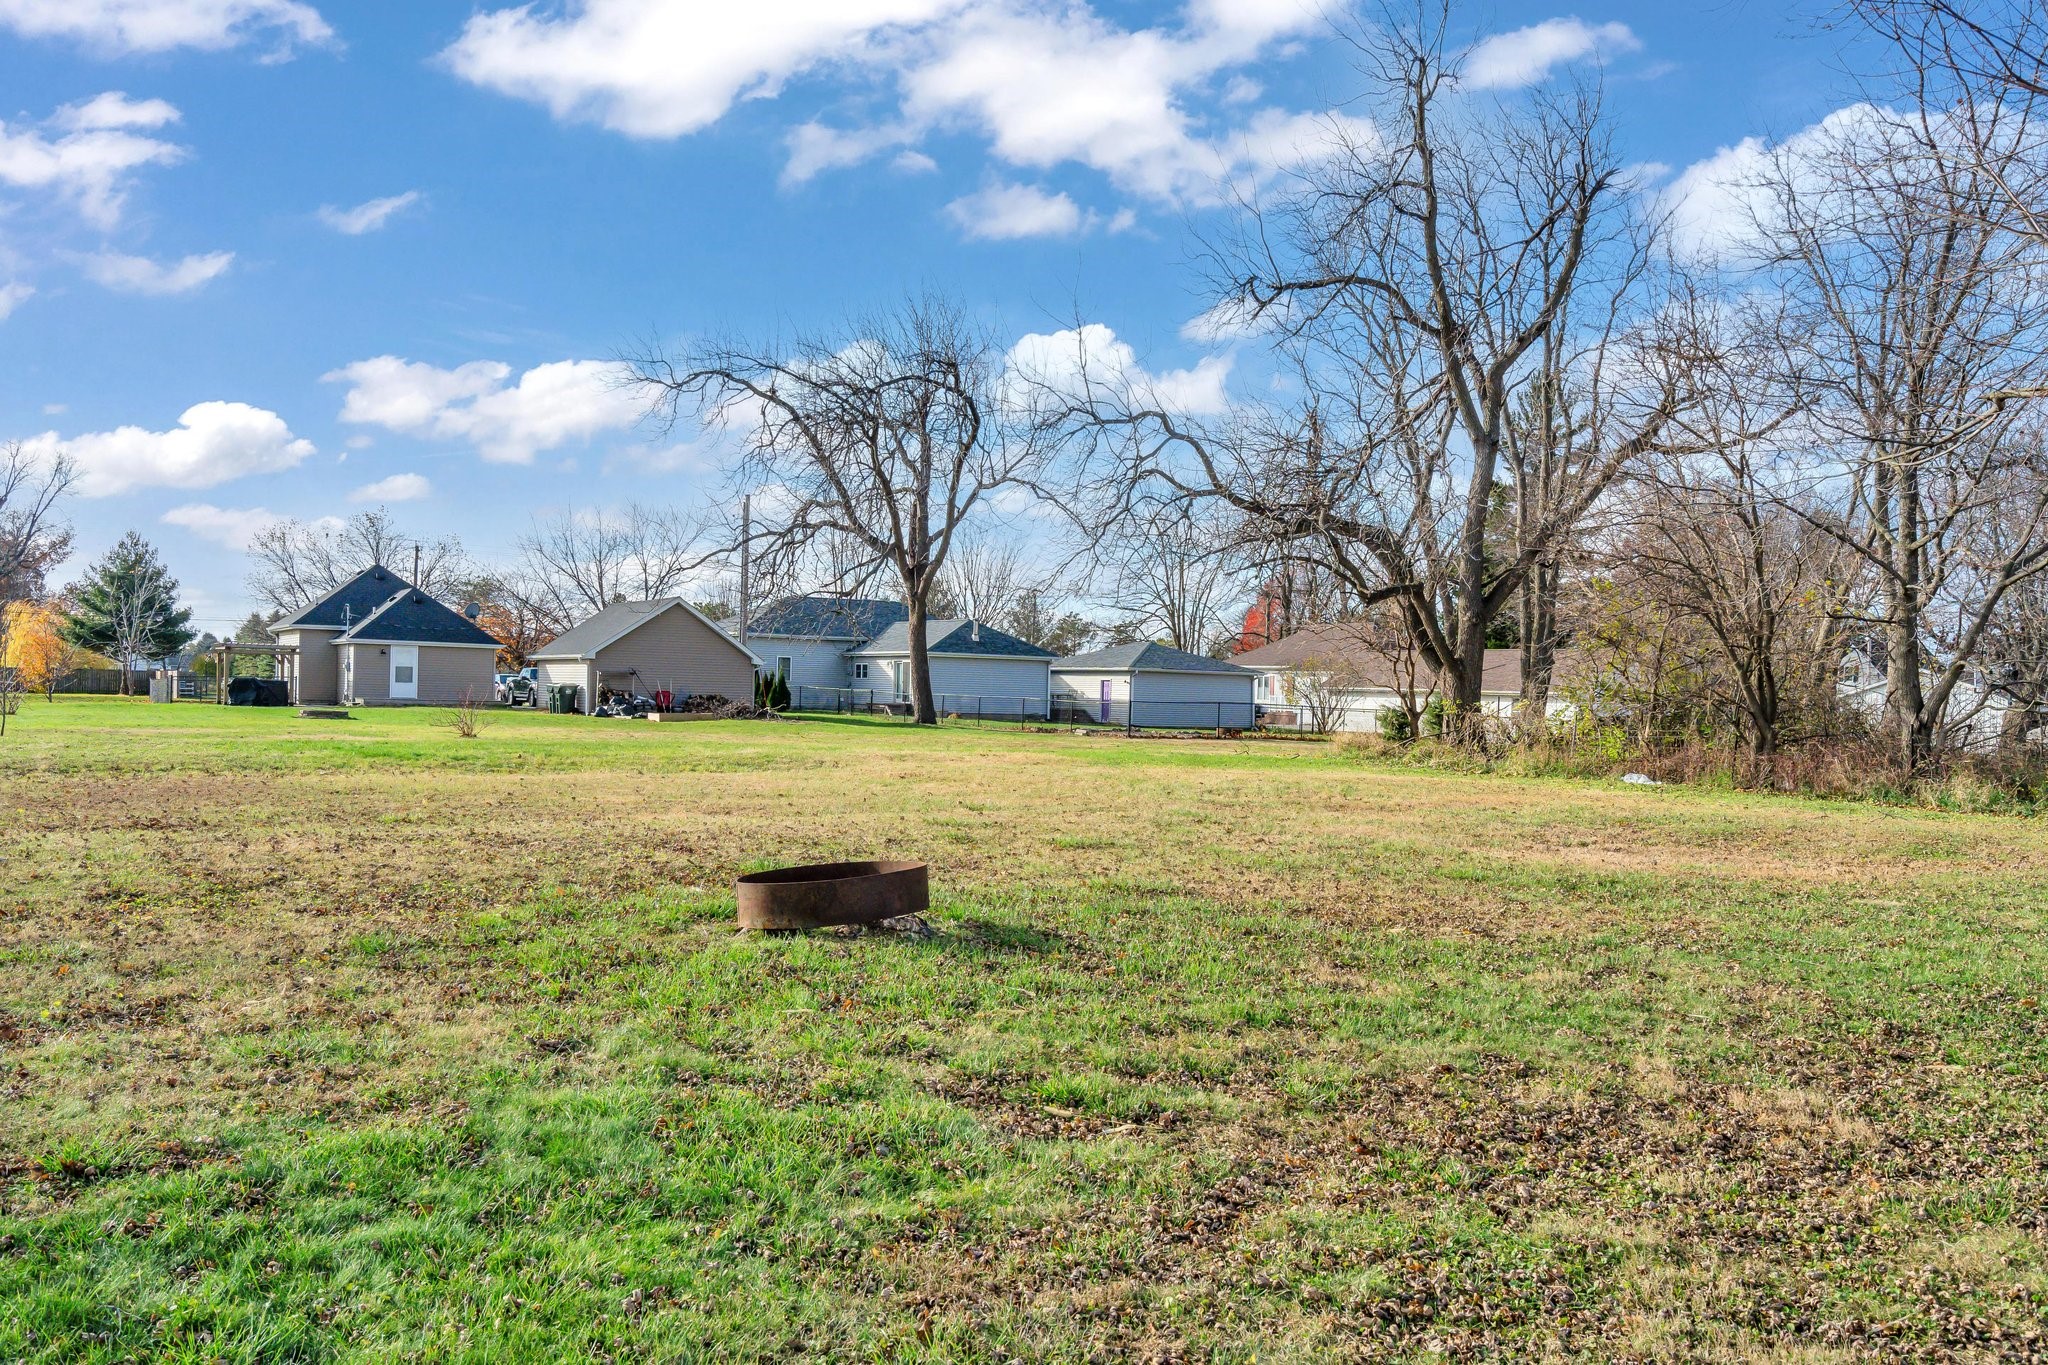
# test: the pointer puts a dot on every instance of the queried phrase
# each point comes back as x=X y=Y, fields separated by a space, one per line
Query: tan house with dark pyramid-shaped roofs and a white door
x=380 y=642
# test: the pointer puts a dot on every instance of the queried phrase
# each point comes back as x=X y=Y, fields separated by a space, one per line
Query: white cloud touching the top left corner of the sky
x=165 y=26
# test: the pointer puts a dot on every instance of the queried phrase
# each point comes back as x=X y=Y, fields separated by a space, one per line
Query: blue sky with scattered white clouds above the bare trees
x=298 y=257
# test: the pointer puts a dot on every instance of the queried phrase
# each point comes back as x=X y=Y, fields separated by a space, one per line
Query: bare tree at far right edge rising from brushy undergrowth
x=1920 y=320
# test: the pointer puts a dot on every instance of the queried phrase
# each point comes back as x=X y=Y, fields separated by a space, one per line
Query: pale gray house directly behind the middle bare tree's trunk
x=976 y=670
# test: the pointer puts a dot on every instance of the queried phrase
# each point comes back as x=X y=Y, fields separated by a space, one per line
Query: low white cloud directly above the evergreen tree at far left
x=212 y=443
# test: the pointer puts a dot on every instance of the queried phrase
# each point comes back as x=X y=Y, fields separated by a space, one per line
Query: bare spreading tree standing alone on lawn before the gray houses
x=890 y=435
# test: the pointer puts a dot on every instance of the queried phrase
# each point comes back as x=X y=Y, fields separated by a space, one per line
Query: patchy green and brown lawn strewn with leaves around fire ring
x=361 y=1041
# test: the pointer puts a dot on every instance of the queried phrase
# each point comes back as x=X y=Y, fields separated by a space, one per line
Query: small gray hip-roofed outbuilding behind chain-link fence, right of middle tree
x=1150 y=685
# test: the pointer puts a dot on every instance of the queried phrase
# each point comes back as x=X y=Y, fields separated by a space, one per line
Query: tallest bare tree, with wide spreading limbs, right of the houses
x=1414 y=279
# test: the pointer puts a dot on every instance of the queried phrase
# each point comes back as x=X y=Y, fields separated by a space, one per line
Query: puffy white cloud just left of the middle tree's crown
x=507 y=423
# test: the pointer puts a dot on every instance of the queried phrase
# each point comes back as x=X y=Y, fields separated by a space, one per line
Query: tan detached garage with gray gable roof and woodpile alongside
x=648 y=648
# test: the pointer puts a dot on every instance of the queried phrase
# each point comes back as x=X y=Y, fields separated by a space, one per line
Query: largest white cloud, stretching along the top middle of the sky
x=1043 y=83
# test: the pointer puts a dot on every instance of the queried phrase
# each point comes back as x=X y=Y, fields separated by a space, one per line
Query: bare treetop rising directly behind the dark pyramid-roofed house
x=298 y=564
